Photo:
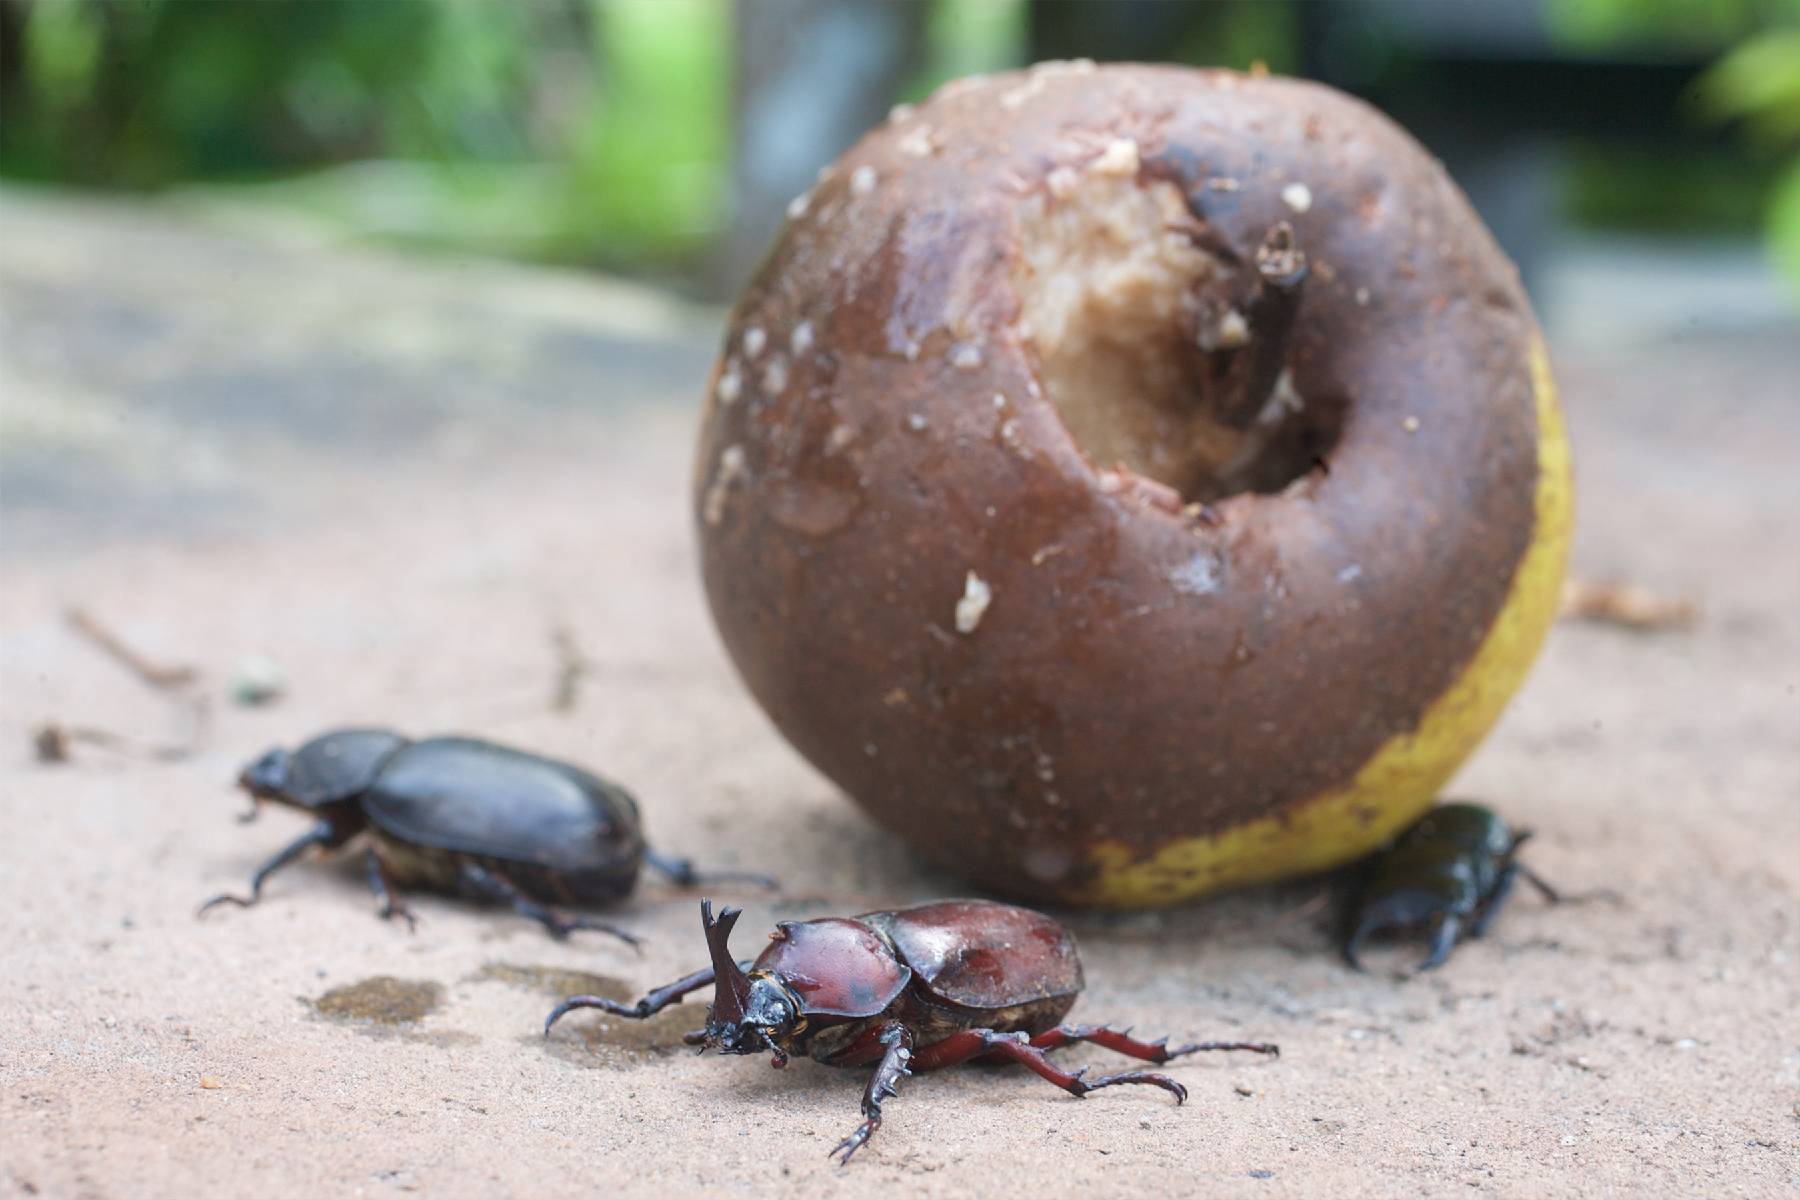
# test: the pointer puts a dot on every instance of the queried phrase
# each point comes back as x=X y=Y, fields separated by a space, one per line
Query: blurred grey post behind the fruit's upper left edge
x=811 y=78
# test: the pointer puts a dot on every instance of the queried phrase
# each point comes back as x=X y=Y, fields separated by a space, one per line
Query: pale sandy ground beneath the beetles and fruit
x=400 y=479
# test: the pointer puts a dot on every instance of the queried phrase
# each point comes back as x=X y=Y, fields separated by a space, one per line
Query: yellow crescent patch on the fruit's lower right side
x=1405 y=776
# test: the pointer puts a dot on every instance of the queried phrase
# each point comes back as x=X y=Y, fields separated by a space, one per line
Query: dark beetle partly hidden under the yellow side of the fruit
x=1455 y=866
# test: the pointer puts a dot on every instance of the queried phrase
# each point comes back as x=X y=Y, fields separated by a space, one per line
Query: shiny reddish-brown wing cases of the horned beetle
x=984 y=954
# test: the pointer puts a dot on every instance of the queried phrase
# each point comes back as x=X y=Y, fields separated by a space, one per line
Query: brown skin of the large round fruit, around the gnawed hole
x=863 y=469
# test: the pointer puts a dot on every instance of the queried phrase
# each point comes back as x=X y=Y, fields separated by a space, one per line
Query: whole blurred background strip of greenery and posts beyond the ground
x=1641 y=159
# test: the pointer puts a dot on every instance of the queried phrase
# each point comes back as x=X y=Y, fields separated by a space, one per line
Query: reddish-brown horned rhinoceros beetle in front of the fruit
x=906 y=990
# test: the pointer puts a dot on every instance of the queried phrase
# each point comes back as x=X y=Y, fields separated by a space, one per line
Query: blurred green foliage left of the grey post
x=573 y=130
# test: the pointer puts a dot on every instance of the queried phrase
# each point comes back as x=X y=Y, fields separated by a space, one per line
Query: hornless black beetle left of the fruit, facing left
x=469 y=818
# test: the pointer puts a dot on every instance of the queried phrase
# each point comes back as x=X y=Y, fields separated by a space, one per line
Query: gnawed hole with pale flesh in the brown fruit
x=1162 y=355
